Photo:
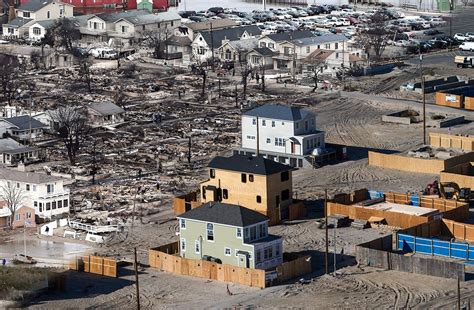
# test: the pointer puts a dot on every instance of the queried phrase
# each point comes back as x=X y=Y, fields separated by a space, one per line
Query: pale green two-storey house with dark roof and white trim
x=229 y=234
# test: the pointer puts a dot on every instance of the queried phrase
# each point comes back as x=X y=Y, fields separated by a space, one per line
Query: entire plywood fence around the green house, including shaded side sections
x=224 y=272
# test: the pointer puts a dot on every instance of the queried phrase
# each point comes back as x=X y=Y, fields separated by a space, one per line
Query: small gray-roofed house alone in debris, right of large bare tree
x=105 y=113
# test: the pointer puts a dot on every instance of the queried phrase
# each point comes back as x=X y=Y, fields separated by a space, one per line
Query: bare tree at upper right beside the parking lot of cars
x=375 y=37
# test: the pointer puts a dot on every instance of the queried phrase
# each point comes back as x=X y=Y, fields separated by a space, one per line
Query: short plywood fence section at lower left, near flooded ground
x=105 y=266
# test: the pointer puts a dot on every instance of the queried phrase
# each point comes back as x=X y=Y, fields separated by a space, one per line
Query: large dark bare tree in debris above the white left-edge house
x=72 y=129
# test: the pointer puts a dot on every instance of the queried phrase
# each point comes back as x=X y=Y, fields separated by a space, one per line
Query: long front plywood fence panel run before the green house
x=206 y=269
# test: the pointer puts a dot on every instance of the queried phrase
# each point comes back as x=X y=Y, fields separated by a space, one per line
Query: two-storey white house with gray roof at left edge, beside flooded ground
x=44 y=193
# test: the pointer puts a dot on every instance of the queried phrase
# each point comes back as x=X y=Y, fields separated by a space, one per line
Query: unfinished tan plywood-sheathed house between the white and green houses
x=256 y=183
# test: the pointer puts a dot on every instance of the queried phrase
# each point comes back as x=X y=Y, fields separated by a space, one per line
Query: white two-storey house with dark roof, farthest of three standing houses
x=285 y=134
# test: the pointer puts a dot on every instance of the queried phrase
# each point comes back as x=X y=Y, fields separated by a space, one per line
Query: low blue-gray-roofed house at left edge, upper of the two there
x=22 y=128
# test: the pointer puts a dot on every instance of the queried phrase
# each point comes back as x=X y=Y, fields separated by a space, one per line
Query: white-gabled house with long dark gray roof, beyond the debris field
x=207 y=41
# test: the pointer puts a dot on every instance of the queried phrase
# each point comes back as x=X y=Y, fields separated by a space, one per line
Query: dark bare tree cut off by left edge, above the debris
x=10 y=69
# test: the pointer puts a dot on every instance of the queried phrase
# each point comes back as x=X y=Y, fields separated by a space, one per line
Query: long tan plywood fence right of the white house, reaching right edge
x=413 y=164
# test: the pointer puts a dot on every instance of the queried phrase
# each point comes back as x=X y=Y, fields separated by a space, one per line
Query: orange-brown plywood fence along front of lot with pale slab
x=393 y=218
